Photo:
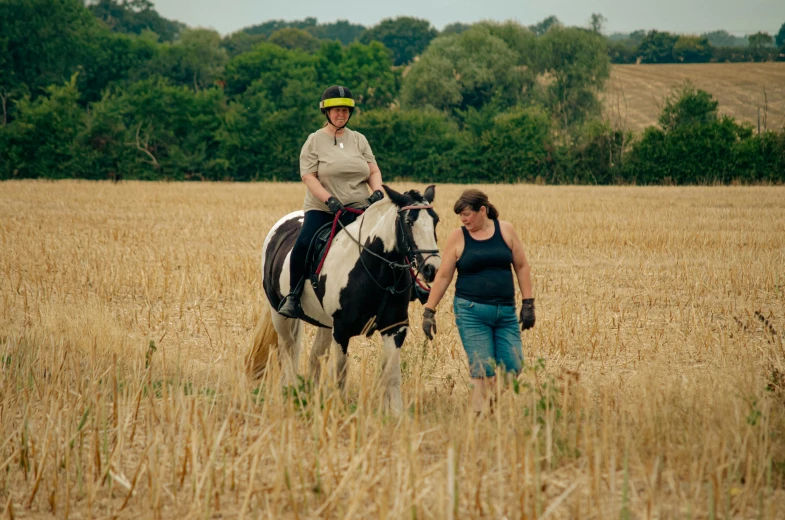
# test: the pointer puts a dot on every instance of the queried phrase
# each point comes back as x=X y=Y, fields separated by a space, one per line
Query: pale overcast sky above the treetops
x=739 y=17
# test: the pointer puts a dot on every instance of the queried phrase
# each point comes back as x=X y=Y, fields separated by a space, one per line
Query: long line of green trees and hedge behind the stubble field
x=113 y=90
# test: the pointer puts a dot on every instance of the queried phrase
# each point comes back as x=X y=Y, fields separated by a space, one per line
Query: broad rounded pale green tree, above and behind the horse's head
x=470 y=69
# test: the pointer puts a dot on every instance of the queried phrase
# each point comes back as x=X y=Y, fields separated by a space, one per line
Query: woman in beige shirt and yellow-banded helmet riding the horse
x=337 y=172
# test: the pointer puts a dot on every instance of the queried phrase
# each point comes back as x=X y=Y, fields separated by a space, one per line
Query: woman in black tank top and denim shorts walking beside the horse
x=482 y=251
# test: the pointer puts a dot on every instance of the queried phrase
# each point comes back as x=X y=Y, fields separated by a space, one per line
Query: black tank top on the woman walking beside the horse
x=484 y=270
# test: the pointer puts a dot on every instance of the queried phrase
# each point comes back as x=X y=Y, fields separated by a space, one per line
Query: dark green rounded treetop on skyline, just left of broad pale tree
x=405 y=36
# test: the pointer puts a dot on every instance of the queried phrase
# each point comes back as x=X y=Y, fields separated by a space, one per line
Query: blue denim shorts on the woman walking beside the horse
x=491 y=337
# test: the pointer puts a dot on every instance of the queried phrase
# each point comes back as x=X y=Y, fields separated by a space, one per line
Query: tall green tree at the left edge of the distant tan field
x=577 y=62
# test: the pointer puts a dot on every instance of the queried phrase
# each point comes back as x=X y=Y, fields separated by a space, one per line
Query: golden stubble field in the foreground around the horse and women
x=654 y=386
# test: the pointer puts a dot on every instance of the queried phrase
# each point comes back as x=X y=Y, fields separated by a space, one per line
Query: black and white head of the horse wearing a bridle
x=416 y=226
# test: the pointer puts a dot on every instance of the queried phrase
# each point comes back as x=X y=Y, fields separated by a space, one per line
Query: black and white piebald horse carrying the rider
x=365 y=285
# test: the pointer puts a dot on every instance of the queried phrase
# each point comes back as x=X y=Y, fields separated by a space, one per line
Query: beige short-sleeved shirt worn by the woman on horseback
x=341 y=168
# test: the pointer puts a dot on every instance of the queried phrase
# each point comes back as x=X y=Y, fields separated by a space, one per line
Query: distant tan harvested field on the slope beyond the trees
x=637 y=91
